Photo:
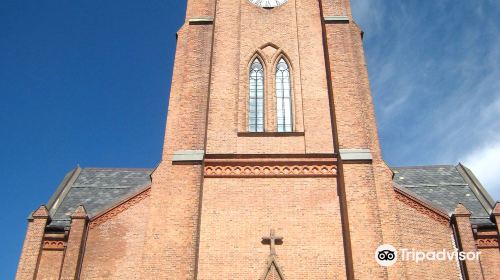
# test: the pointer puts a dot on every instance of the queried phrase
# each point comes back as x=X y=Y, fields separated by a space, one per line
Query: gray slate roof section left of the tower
x=96 y=189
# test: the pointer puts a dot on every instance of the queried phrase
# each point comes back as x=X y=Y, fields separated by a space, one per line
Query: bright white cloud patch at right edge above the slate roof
x=485 y=163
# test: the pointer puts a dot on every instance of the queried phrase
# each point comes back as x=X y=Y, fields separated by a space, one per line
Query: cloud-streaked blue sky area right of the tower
x=435 y=81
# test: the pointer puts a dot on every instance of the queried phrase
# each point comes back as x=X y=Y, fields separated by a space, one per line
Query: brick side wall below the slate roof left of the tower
x=114 y=247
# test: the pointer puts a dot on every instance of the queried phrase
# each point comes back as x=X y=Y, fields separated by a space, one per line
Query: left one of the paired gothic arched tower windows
x=256 y=97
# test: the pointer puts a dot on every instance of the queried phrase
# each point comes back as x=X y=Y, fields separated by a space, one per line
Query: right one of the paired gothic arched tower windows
x=283 y=97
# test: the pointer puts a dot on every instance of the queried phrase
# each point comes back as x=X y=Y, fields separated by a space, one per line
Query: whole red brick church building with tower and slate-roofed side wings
x=271 y=169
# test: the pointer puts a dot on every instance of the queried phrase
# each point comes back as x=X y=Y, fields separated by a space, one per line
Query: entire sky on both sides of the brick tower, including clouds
x=87 y=82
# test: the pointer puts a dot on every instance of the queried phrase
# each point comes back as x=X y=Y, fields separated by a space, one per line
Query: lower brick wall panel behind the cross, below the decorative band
x=237 y=213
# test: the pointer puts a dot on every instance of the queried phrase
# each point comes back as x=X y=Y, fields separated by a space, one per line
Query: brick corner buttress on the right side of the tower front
x=356 y=129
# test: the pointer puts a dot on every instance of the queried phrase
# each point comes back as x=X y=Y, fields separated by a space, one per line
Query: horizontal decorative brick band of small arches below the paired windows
x=270 y=168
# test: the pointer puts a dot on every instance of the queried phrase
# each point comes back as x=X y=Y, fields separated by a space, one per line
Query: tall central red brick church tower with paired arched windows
x=270 y=126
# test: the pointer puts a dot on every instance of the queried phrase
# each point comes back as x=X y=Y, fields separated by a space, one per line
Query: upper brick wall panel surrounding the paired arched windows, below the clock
x=241 y=30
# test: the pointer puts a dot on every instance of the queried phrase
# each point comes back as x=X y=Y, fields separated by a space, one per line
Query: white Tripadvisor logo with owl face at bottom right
x=386 y=255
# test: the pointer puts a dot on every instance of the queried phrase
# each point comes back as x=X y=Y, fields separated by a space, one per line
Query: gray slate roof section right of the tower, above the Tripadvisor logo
x=445 y=187
